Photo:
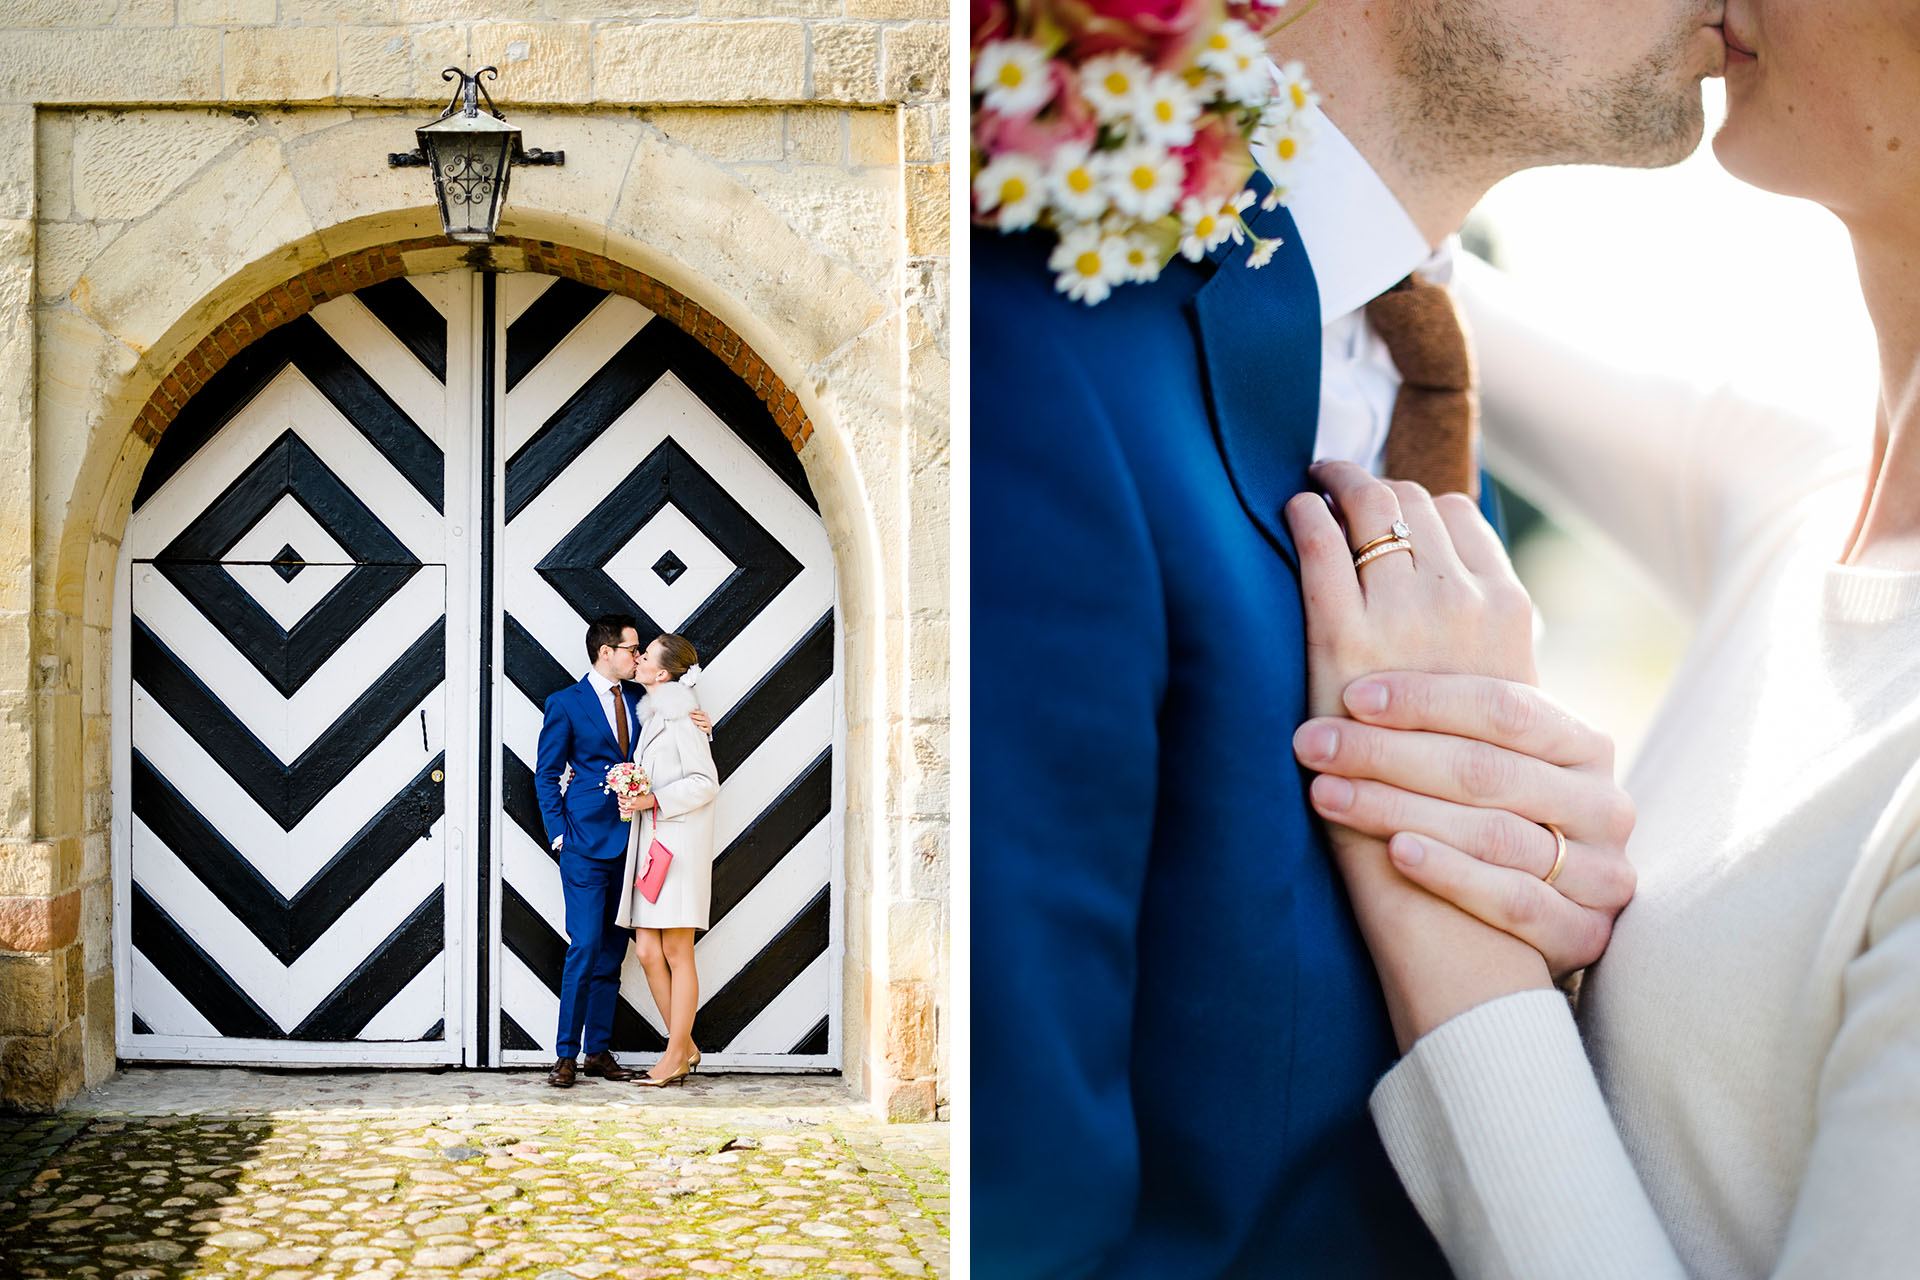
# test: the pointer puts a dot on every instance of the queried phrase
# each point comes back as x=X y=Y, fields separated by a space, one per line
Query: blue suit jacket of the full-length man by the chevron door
x=577 y=734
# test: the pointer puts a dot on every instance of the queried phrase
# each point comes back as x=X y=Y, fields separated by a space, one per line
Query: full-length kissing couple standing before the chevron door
x=636 y=705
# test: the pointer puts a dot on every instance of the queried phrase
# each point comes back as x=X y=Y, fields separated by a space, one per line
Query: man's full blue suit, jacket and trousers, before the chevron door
x=587 y=820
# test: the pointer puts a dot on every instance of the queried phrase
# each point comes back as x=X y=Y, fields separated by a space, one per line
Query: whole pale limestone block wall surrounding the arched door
x=170 y=164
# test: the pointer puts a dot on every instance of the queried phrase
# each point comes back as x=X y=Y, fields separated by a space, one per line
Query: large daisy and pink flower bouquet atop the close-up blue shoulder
x=1128 y=130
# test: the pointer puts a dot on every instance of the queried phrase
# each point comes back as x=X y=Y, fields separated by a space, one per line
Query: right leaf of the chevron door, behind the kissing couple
x=642 y=477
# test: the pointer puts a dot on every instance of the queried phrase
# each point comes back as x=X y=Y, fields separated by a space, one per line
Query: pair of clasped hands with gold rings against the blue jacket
x=1431 y=736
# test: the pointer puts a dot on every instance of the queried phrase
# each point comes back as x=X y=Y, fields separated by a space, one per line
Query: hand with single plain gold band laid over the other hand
x=1458 y=772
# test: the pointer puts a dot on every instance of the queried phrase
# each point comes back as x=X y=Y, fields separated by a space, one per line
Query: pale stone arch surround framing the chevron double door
x=832 y=356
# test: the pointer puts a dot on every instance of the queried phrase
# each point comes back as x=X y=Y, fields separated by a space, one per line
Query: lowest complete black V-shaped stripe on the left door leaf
x=287 y=926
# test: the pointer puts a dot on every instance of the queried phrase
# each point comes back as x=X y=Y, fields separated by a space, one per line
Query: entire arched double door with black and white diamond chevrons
x=358 y=565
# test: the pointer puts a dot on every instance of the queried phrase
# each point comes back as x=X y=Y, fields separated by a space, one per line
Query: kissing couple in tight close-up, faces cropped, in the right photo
x=1287 y=855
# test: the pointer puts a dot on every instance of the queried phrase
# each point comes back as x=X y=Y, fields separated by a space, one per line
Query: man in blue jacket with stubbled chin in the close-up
x=1176 y=1024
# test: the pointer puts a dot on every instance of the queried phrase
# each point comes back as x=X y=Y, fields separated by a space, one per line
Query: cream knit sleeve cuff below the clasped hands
x=1497 y=1126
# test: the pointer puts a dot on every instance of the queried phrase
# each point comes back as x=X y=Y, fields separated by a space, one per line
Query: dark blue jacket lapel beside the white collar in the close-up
x=1260 y=352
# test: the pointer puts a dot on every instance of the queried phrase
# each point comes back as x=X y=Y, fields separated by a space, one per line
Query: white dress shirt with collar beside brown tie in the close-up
x=1360 y=243
